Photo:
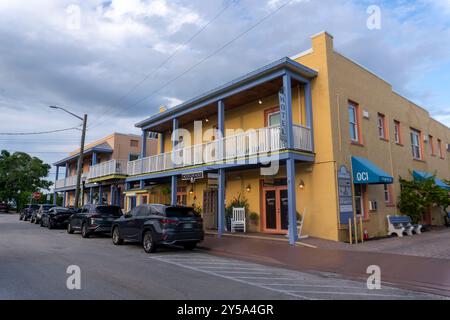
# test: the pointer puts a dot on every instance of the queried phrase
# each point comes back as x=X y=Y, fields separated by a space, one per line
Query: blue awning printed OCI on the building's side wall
x=366 y=172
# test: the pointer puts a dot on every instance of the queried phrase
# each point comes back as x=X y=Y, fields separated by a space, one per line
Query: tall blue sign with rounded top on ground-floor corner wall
x=345 y=195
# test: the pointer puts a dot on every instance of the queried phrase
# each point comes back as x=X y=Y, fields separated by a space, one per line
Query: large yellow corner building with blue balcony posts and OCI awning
x=284 y=137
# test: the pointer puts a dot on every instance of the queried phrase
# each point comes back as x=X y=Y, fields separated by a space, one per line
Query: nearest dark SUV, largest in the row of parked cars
x=154 y=225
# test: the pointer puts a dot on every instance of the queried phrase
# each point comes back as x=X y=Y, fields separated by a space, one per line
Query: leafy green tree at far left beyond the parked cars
x=20 y=176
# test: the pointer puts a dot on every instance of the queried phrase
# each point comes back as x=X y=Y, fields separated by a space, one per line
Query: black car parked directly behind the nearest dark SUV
x=93 y=219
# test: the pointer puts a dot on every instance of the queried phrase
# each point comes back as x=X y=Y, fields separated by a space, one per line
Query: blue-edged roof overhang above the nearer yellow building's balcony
x=276 y=69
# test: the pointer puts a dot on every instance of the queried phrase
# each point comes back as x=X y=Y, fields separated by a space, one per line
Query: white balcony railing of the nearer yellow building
x=248 y=144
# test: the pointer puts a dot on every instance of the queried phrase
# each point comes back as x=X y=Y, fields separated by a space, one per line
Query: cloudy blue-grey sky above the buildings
x=119 y=60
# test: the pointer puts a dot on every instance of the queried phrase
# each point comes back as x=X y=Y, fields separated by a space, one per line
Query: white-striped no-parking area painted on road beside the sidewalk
x=292 y=283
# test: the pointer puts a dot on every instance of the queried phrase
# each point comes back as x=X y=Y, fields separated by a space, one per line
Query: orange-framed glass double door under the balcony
x=275 y=210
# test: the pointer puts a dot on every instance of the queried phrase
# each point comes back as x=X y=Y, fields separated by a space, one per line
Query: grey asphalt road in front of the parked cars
x=34 y=261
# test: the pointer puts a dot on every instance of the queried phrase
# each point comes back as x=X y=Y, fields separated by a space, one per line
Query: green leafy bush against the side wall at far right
x=417 y=196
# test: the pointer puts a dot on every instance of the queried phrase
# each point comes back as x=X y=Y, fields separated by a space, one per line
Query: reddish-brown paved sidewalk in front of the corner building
x=419 y=273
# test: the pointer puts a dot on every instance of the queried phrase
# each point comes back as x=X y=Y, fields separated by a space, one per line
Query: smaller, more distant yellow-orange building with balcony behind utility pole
x=104 y=169
